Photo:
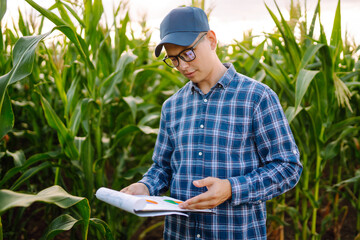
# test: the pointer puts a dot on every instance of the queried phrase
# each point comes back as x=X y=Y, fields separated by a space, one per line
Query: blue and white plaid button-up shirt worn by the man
x=237 y=131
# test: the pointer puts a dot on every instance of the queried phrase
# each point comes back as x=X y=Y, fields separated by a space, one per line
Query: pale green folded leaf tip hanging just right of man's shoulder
x=303 y=81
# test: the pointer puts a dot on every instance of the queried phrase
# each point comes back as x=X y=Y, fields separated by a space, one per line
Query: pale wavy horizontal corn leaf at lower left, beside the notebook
x=54 y=195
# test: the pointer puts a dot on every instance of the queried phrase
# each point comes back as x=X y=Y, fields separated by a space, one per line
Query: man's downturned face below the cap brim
x=198 y=69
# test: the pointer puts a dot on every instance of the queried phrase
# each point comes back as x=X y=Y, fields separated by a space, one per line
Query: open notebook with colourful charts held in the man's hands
x=144 y=206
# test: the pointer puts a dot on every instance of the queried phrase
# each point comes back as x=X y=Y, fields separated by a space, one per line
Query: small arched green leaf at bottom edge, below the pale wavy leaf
x=62 y=223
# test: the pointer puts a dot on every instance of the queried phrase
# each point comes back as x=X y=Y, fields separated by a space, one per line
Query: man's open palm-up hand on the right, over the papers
x=219 y=190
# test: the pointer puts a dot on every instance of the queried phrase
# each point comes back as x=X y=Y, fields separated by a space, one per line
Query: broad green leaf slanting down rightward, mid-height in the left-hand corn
x=65 y=137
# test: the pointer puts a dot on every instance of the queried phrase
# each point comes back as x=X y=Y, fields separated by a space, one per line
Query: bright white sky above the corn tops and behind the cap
x=229 y=18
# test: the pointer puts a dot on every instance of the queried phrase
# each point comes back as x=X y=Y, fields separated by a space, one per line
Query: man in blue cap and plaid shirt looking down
x=224 y=142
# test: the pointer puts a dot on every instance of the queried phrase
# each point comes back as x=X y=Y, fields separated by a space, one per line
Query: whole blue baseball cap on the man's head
x=182 y=26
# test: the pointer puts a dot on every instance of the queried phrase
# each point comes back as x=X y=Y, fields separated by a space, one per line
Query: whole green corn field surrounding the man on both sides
x=80 y=108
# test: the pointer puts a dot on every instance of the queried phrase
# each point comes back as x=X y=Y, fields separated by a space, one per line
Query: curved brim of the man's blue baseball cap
x=177 y=38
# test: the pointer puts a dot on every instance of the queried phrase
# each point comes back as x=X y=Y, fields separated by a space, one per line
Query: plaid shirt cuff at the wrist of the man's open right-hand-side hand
x=239 y=190
